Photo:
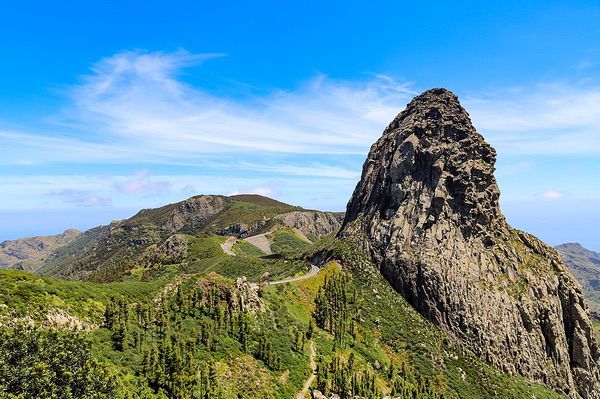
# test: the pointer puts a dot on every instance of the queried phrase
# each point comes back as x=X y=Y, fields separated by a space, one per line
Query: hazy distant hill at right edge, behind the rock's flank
x=585 y=265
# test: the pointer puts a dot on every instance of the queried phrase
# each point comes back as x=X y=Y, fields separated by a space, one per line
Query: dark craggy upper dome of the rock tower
x=432 y=158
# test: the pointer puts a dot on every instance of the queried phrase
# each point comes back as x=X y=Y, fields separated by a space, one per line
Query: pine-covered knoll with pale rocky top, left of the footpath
x=180 y=347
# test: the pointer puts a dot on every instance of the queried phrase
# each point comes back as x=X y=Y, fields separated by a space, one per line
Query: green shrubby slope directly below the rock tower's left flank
x=418 y=354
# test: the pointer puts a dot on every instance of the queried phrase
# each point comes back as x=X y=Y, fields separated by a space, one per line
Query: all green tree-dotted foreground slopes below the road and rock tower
x=187 y=331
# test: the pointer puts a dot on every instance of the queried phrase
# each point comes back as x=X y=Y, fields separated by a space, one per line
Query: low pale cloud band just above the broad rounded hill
x=55 y=192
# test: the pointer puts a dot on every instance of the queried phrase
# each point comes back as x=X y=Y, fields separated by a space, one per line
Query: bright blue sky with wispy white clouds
x=109 y=107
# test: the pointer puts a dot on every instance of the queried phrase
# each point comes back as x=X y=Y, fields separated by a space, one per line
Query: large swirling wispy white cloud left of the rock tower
x=133 y=107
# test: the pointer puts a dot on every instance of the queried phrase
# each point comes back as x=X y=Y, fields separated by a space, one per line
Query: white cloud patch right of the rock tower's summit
x=550 y=119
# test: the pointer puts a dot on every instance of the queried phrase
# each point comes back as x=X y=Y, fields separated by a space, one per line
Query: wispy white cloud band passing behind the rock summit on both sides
x=134 y=107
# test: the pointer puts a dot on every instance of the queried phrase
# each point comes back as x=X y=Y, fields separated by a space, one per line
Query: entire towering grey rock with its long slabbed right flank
x=426 y=209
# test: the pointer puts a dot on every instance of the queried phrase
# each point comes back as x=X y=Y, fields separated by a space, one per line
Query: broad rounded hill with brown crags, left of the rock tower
x=170 y=233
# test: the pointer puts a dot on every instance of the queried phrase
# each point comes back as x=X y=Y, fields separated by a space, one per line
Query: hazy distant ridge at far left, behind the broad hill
x=30 y=253
